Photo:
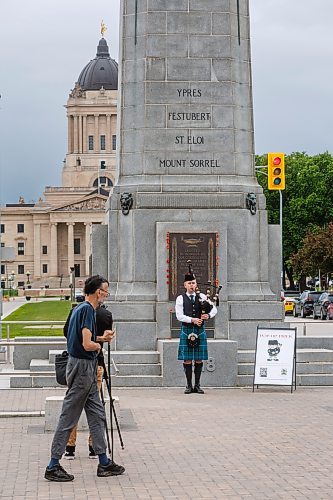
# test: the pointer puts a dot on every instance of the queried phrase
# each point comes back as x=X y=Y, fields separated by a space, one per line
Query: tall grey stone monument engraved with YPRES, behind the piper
x=187 y=187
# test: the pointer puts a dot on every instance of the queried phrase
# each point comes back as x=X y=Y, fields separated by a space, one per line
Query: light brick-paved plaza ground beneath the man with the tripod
x=228 y=443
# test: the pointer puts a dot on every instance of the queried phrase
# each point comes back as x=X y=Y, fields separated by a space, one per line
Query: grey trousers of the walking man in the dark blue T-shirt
x=81 y=394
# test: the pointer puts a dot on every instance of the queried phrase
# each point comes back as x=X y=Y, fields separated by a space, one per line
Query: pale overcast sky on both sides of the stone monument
x=44 y=50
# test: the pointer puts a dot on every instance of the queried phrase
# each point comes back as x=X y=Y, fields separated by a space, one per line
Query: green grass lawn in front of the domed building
x=49 y=310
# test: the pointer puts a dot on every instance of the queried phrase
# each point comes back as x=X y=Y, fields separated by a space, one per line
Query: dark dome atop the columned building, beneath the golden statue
x=101 y=71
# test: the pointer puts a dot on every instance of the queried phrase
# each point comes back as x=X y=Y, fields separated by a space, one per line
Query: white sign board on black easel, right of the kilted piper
x=275 y=358
